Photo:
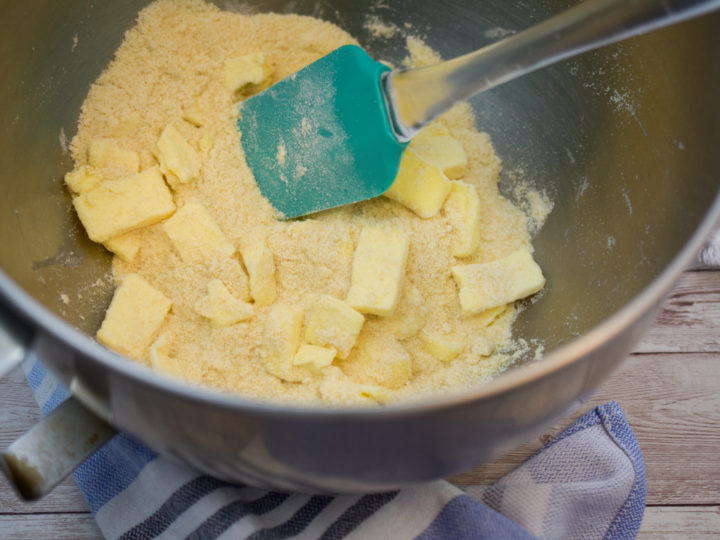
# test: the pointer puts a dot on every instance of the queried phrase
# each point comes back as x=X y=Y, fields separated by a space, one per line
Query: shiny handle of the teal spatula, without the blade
x=417 y=96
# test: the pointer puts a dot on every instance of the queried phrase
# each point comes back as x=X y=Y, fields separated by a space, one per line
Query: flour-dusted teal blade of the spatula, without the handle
x=322 y=138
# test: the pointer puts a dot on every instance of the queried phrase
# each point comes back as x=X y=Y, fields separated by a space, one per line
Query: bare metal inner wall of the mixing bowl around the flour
x=621 y=140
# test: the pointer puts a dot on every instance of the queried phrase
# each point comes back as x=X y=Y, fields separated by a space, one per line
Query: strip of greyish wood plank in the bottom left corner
x=49 y=527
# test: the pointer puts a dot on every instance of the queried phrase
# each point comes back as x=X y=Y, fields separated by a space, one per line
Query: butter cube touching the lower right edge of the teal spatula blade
x=420 y=186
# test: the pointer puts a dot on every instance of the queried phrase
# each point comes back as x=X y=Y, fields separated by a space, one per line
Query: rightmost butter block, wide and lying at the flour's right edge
x=488 y=285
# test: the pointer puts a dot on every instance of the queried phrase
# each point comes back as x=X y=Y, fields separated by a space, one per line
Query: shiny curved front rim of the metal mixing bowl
x=505 y=382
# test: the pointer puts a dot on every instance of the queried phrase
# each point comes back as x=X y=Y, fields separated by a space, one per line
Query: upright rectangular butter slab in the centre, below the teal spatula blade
x=378 y=270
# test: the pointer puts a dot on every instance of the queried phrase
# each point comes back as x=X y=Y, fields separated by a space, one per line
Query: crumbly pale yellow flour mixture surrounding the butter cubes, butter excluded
x=169 y=71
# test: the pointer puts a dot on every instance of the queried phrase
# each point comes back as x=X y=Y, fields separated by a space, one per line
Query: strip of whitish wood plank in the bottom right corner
x=680 y=523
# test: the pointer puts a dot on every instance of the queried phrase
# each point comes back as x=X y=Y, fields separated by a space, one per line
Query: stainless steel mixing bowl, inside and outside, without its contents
x=623 y=140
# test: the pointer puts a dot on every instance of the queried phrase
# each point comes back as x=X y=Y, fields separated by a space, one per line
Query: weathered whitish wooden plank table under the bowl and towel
x=669 y=388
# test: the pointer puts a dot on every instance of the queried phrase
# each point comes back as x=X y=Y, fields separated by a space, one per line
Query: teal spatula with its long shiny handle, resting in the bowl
x=333 y=133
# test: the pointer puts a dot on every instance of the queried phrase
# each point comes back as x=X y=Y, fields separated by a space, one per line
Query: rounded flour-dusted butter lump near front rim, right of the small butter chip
x=385 y=362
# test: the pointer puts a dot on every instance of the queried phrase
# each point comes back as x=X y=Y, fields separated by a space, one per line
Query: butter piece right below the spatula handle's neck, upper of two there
x=435 y=145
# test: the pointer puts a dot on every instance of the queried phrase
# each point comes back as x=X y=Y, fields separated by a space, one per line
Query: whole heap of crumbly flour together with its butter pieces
x=215 y=290
